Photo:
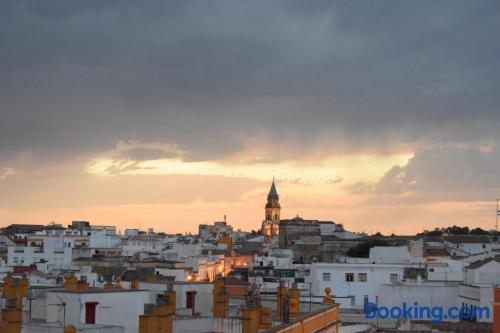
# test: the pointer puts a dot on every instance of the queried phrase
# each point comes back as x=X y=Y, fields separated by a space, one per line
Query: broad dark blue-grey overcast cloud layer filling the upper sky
x=75 y=78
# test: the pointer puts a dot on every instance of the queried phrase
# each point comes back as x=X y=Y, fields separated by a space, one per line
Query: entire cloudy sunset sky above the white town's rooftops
x=380 y=115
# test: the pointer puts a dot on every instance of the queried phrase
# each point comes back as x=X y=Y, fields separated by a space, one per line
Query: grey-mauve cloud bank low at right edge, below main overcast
x=454 y=173
